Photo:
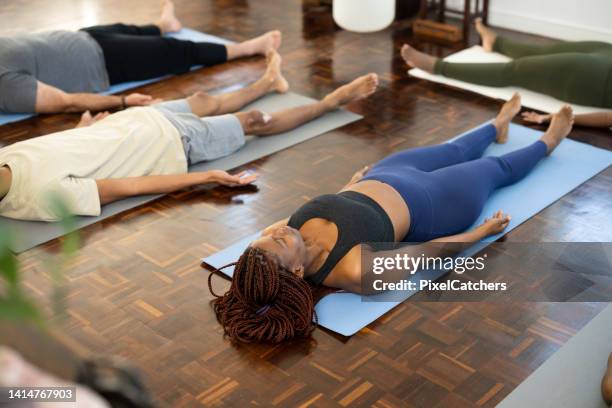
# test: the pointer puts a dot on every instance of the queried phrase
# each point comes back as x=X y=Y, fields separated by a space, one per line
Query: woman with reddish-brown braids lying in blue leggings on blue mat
x=418 y=195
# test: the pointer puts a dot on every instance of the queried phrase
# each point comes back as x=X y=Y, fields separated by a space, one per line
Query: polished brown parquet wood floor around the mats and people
x=137 y=290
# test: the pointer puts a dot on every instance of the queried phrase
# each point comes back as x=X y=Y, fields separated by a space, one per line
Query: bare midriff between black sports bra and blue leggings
x=390 y=201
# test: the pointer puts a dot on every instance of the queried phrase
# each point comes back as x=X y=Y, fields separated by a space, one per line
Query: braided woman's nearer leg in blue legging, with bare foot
x=458 y=193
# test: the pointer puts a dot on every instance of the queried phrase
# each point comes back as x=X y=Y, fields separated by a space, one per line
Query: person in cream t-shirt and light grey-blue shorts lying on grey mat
x=146 y=150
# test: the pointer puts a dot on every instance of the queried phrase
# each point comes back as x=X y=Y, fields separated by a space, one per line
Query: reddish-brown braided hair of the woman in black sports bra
x=265 y=303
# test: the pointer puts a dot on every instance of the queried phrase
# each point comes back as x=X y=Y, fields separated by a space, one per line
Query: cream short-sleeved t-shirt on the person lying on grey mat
x=132 y=143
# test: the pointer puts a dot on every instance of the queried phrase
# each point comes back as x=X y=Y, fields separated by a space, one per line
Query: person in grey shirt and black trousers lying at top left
x=58 y=71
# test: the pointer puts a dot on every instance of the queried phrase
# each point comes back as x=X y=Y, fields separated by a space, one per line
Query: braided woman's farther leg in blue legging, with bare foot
x=468 y=147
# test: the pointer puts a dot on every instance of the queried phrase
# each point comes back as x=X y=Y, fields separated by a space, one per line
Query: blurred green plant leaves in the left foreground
x=15 y=305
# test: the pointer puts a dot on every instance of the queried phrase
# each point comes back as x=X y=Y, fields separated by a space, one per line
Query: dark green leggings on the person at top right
x=575 y=72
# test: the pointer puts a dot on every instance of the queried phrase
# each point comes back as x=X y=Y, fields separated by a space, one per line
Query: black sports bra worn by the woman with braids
x=359 y=219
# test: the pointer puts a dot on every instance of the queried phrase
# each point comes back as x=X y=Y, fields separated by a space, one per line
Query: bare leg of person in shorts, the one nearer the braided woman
x=260 y=124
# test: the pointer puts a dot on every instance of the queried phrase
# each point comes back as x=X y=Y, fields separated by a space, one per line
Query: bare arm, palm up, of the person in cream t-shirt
x=116 y=189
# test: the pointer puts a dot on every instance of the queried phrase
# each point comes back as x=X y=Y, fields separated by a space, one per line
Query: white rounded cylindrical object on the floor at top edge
x=364 y=16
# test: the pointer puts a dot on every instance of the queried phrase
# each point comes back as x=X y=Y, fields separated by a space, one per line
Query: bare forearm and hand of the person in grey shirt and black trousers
x=52 y=100
